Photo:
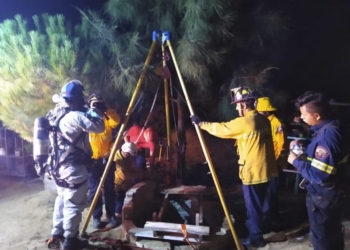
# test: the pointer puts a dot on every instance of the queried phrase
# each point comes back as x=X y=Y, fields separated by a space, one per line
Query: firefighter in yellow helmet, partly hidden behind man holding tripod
x=271 y=207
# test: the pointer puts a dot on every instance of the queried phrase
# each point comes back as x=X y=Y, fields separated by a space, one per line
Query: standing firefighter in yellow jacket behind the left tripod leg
x=101 y=146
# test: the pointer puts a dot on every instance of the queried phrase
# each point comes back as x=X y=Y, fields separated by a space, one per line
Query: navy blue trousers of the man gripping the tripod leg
x=255 y=196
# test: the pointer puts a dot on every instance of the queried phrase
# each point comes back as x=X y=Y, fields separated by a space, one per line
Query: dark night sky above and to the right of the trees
x=315 y=56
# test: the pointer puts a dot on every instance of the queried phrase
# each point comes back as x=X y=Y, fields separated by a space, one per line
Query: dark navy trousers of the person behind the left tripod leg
x=95 y=175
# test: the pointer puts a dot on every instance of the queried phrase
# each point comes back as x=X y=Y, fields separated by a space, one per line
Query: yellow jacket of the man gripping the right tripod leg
x=255 y=147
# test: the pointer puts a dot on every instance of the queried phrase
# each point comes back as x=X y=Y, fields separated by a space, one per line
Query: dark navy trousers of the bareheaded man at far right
x=325 y=225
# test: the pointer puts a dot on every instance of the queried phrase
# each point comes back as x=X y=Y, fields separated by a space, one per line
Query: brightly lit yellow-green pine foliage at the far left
x=34 y=64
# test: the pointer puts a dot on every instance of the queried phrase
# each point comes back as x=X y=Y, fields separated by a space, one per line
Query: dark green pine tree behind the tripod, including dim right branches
x=204 y=34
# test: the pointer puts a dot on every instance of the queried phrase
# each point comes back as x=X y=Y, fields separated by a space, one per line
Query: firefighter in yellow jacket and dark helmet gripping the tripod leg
x=257 y=163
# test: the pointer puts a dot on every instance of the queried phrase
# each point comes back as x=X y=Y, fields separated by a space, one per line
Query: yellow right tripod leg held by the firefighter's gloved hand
x=203 y=144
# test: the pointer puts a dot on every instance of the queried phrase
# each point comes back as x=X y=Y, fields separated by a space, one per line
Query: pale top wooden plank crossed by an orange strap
x=176 y=228
